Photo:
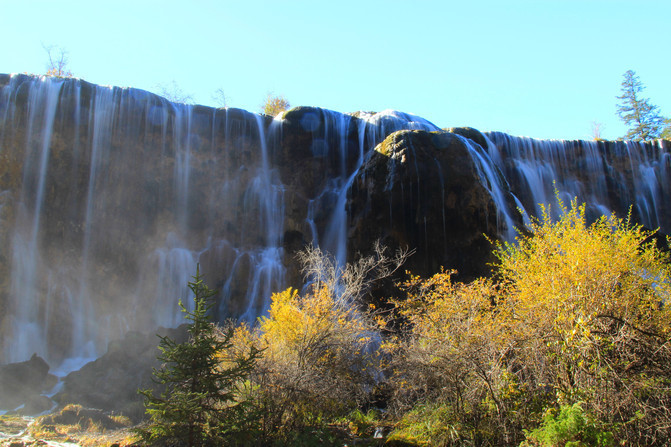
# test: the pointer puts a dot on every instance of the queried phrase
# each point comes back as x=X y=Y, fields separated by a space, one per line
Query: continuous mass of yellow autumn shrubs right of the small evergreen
x=567 y=344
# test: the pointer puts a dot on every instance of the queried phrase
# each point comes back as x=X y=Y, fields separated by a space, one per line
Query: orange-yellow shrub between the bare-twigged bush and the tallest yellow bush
x=452 y=356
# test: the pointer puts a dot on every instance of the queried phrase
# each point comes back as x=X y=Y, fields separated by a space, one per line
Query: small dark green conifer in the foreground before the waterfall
x=201 y=403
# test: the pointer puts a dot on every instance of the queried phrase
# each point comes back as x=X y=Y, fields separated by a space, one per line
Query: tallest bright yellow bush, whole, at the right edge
x=589 y=303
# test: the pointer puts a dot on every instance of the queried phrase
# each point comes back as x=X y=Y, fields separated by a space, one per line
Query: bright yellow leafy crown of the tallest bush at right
x=570 y=278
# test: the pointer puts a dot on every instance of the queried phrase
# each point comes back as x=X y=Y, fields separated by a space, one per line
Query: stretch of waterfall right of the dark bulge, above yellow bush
x=608 y=176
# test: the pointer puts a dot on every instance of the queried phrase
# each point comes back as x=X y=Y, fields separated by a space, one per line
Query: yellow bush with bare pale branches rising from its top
x=319 y=348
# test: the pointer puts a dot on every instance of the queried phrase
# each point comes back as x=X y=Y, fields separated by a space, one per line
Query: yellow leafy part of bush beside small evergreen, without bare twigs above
x=318 y=360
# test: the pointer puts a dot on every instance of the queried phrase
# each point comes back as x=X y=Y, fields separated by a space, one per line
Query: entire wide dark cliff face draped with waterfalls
x=110 y=197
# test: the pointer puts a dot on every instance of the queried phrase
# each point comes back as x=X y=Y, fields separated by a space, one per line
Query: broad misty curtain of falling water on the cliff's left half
x=121 y=195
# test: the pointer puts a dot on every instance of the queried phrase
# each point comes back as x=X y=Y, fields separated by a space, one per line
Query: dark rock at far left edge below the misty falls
x=24 y=381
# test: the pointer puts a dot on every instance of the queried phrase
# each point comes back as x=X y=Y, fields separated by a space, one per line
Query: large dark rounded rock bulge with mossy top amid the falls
x=424 y=191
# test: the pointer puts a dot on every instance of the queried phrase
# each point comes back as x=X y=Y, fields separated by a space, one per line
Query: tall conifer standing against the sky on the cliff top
x=643 y=118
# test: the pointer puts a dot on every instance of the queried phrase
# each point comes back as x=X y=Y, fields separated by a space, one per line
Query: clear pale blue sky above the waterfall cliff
x=545 y=69
